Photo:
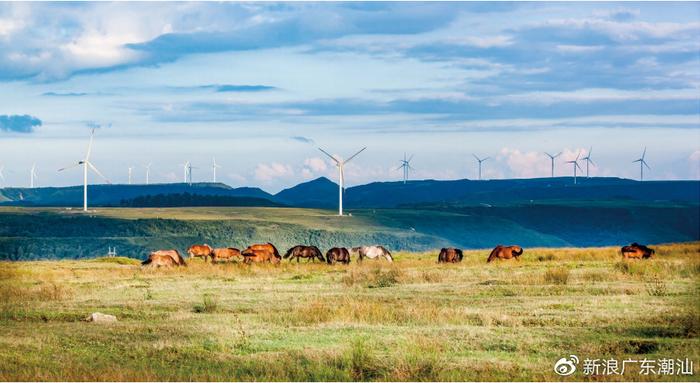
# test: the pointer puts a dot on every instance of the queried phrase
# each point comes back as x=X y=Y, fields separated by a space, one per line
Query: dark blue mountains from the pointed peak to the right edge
x=322 y=193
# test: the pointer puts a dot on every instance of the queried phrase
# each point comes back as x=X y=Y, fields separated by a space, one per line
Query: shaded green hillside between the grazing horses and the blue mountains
x=38 y=233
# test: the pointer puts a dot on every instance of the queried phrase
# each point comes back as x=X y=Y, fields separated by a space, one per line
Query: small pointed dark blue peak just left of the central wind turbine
x=320 y=192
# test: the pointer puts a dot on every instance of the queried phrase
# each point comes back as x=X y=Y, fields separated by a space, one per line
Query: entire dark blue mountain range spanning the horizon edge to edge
x=323 y=193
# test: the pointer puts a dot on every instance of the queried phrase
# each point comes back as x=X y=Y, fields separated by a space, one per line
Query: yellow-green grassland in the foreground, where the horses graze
x=411 y=320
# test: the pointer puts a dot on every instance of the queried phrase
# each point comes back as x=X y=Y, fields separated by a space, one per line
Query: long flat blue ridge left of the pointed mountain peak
x=113 y=195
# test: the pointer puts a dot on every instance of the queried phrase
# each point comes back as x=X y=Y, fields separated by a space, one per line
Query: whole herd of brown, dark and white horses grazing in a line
x=267 y=253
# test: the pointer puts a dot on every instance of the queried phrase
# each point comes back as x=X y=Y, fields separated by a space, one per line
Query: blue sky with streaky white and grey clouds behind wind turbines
x=260 y=86
